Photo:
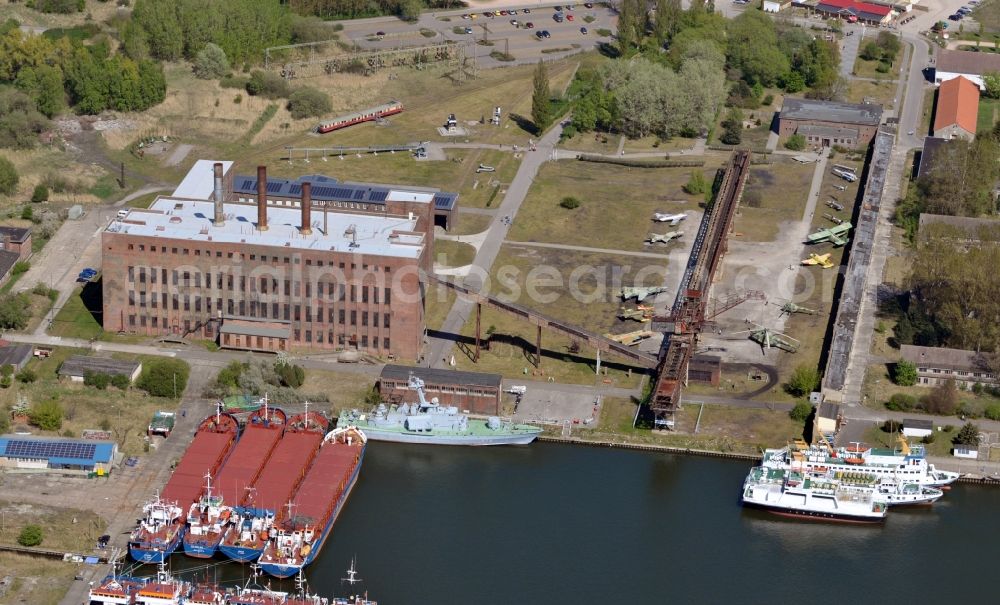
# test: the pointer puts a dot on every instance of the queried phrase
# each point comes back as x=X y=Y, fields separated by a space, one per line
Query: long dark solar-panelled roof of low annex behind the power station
x=326 y=188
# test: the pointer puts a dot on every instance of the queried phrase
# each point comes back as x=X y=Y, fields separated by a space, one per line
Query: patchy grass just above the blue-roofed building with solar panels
x=126 y=414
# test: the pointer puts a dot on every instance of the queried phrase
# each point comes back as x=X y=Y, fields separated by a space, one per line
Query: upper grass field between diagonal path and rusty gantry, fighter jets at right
x=629 y=196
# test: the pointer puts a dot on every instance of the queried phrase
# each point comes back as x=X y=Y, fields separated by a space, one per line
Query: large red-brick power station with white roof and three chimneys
x=272 y=274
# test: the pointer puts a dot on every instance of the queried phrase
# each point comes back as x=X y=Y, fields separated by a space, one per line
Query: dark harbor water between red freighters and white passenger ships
x=554 y=524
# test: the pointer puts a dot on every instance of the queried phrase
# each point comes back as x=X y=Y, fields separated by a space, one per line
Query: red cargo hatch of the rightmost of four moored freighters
x=326 y=481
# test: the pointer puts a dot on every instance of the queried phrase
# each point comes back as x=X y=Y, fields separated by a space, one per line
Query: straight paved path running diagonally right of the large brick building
x=439 y=349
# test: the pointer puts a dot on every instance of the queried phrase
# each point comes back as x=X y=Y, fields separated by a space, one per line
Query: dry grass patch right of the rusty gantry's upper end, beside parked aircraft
x=782 y=187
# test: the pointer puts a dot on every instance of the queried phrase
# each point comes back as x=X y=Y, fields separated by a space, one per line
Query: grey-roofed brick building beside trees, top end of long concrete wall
x=827 y=123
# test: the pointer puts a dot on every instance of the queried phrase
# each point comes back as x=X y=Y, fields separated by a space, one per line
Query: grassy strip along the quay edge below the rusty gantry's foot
x=722 y=428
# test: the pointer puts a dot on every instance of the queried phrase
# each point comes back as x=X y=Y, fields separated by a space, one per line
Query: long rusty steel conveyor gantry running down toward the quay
x=688 y=314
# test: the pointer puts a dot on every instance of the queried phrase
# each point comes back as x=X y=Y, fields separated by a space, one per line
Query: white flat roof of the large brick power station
x=185 y=219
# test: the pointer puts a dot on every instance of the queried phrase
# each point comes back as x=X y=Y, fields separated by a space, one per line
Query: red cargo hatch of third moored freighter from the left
x=283 y=471
